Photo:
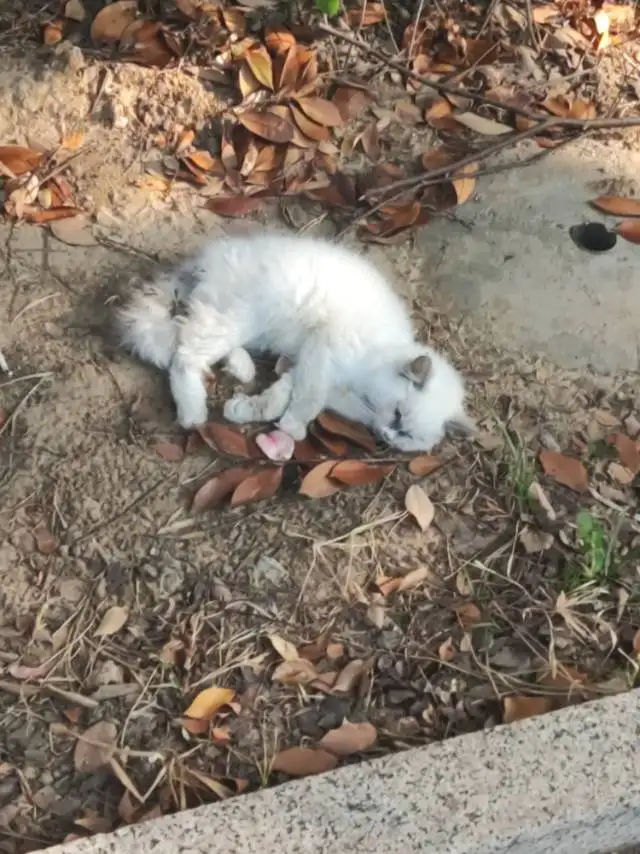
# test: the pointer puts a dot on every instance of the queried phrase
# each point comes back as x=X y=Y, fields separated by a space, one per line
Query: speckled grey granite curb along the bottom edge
x=567 y=783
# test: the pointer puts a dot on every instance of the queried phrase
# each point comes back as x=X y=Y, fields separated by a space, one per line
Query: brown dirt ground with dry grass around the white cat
x=518 y=606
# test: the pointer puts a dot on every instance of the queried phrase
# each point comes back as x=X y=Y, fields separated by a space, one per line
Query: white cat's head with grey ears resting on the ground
x=416 y=400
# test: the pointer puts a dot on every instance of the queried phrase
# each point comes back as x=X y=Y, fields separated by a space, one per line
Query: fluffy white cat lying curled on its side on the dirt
x=327 y=309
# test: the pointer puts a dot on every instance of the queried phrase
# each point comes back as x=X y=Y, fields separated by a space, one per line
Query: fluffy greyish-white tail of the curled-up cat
x=146 y=323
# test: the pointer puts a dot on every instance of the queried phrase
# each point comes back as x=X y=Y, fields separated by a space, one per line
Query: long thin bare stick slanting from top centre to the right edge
x=594 y=124
